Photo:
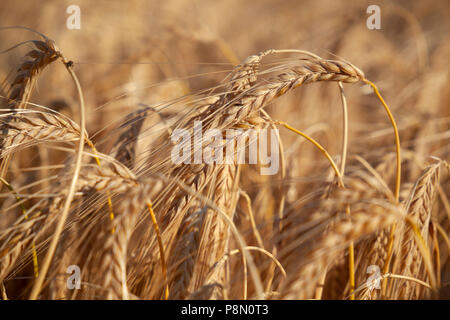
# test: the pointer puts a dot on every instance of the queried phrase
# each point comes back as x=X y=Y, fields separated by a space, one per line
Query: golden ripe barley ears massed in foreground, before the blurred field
x=139 y=226
